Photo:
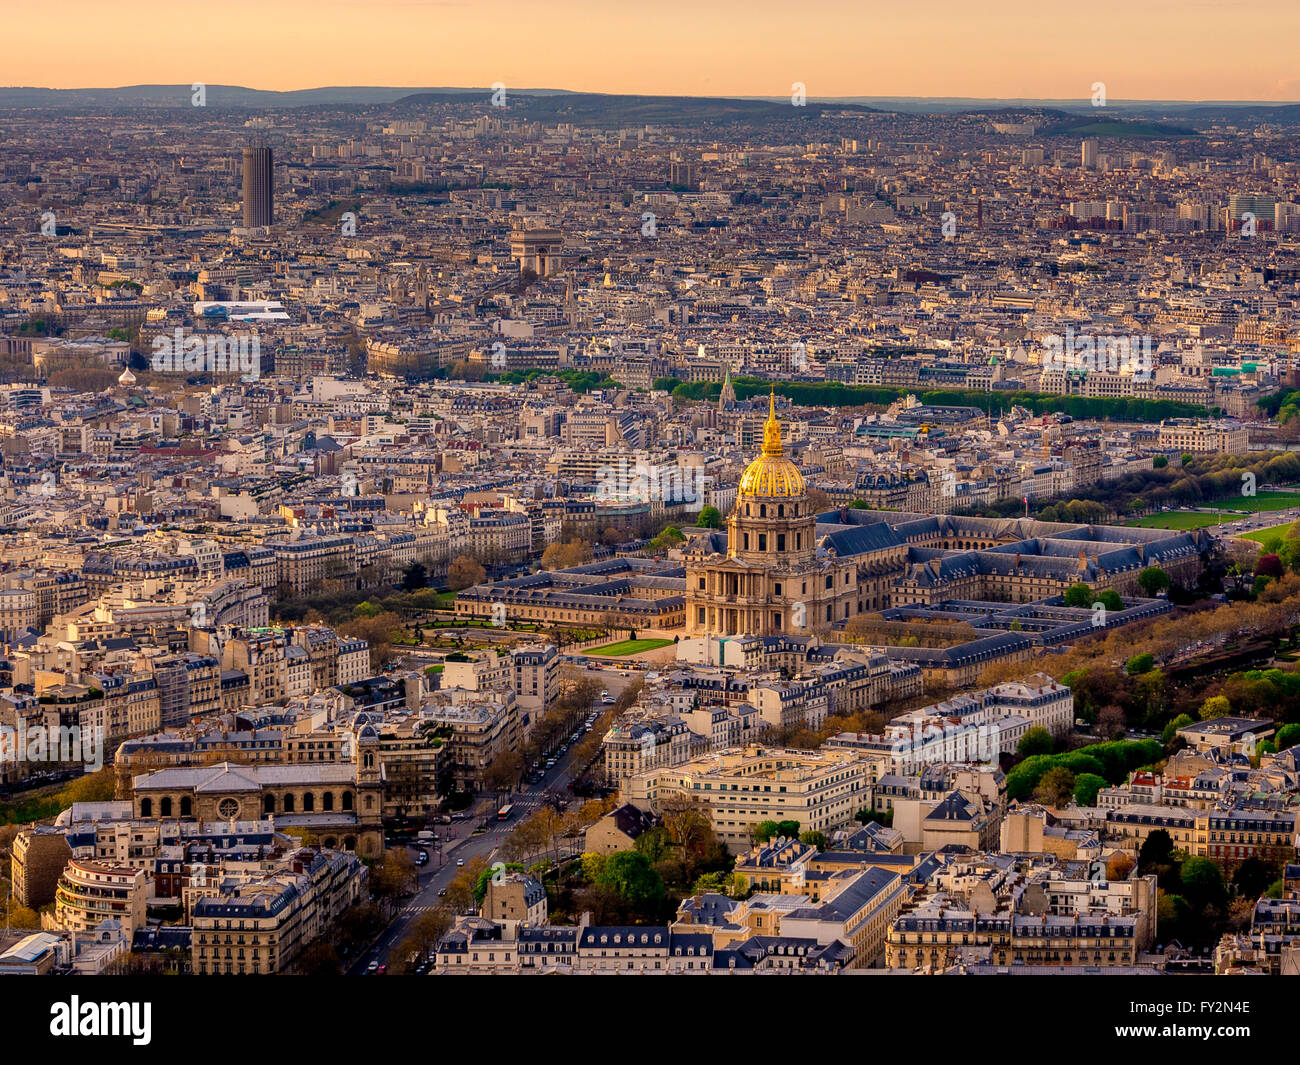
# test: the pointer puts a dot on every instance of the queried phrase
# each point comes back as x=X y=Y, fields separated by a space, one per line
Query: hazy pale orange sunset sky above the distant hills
x=1195 y=50
